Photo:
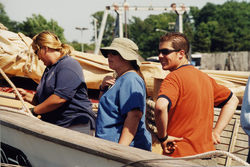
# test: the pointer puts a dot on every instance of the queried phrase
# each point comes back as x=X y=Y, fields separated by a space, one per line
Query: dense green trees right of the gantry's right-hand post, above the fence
x=227 y=25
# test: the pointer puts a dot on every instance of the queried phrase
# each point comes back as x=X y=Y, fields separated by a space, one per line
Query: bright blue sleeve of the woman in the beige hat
x=132 y=94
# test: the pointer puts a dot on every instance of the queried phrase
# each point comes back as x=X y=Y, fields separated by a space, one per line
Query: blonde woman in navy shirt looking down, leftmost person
x=61 y=97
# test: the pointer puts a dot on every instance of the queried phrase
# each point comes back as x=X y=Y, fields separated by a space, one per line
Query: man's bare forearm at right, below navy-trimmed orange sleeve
x=226 y=114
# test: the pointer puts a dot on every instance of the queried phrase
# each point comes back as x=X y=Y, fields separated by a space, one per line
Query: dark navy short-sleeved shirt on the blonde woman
x=65 y=79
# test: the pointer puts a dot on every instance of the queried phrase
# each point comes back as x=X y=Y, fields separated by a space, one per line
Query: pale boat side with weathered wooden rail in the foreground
x=46 y=144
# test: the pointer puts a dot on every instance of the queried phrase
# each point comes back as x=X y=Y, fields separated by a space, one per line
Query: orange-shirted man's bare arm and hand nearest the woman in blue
x=161 y=122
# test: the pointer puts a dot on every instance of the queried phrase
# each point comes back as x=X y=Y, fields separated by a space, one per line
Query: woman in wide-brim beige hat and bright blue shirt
x=122 y=104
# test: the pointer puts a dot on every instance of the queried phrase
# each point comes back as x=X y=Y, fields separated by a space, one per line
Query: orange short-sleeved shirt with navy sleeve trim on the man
x=192 y=95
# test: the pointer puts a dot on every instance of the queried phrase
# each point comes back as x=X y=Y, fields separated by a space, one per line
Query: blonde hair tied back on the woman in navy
x=50 y=40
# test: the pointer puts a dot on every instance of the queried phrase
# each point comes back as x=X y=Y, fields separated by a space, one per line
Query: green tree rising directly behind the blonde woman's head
x=37 y=23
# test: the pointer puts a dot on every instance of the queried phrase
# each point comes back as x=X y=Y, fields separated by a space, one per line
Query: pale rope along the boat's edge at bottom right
x=198 y=156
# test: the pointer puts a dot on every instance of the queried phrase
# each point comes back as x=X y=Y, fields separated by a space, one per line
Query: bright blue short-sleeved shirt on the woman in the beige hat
x=127 y=93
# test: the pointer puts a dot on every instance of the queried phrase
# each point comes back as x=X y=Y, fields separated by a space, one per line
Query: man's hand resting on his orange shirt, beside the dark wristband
x=170 y=145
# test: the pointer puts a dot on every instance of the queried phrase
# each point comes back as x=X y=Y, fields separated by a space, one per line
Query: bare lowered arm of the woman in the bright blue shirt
x=130 y=126
